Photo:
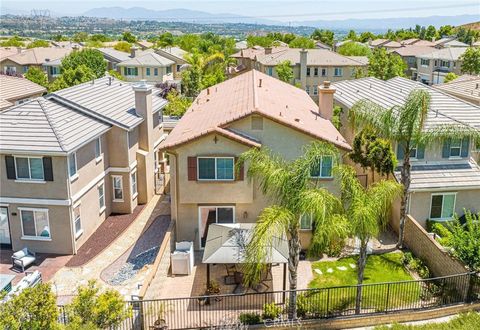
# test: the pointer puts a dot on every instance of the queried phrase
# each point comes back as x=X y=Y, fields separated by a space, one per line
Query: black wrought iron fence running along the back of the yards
x=220 y=310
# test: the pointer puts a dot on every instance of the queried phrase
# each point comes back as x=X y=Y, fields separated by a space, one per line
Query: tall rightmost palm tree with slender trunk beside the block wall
x=405 y=125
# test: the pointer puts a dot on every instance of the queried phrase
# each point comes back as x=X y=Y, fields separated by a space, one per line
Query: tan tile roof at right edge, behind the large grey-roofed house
x=465 y=87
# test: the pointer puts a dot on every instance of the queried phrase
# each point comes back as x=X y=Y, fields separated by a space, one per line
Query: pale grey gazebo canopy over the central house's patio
x=226 y=244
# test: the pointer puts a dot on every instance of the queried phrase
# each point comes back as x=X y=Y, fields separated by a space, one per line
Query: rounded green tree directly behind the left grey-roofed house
x=91 y=58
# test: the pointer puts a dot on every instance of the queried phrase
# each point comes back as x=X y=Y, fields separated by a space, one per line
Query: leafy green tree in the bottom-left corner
x=33 y=308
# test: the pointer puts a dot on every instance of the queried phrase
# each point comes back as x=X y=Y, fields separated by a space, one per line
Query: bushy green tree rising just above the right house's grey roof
x=385 y=65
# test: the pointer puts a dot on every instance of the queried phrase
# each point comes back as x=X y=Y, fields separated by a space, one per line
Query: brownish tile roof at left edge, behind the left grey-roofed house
x=16 y=90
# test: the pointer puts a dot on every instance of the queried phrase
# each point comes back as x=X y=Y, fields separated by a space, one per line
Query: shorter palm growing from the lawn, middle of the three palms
x=367 y=212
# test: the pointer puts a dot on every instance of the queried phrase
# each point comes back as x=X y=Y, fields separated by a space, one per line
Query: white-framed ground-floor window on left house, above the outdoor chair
x=35 y=223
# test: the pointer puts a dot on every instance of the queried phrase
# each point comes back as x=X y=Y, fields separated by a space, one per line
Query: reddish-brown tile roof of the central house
x=220 y=105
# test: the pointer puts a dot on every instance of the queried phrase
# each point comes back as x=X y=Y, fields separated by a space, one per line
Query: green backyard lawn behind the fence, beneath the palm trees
x=376 y=297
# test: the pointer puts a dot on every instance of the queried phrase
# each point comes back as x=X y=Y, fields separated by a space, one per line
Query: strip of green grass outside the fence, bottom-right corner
x=468 y=321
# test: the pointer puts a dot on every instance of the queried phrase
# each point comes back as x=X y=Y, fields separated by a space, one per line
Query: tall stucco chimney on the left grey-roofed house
x=143 y=108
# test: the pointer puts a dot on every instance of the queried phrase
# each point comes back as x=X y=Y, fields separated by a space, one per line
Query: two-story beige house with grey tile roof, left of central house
x=72 y=158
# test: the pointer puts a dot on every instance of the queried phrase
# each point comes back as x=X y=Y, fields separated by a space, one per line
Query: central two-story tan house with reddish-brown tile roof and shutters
x=252 y=110
